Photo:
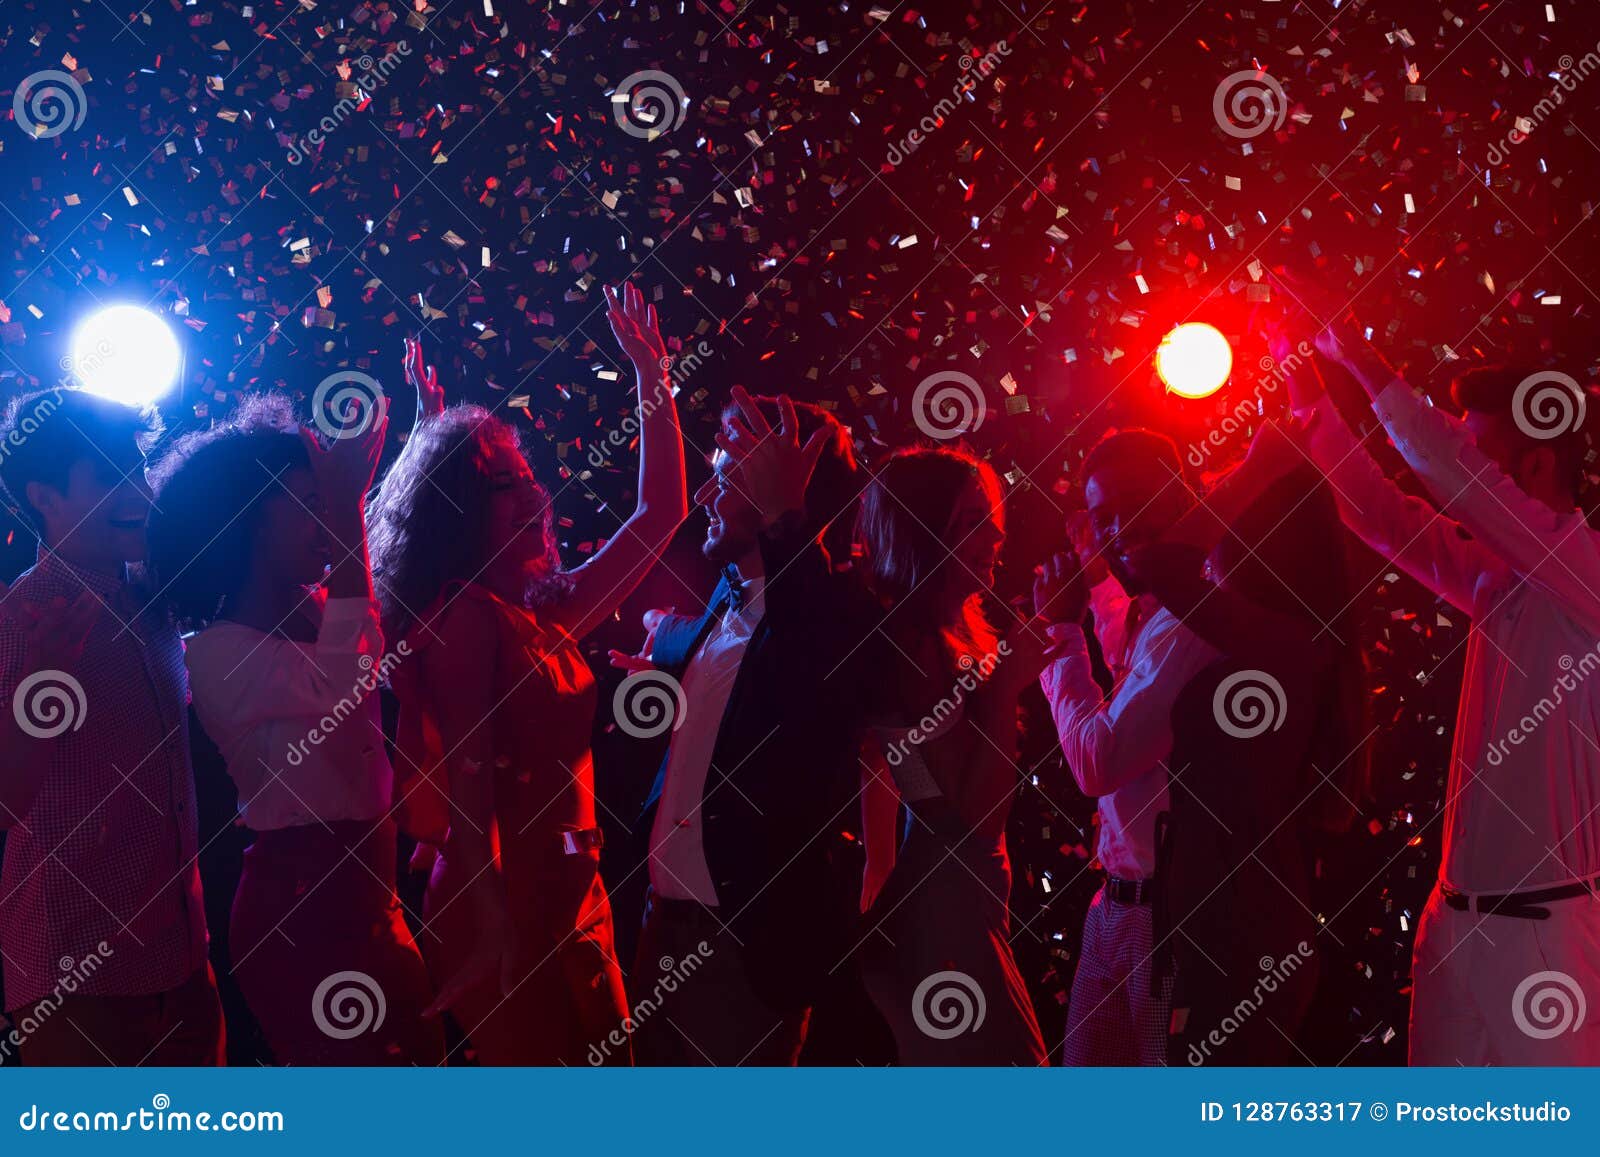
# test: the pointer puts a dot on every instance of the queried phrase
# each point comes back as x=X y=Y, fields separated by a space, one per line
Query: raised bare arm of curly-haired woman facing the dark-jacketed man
x=617 y=569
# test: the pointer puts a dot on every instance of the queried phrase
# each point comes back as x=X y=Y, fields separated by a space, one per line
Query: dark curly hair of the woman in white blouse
x=209 y=497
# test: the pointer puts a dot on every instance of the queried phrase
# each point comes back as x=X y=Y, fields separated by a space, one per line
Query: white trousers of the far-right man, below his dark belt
x=1503 y=990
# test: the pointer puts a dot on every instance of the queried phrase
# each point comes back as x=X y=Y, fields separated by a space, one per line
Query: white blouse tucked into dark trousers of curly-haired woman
x=298 y=724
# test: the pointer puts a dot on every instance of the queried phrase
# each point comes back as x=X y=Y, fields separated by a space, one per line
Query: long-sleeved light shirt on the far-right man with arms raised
x=1522 y=801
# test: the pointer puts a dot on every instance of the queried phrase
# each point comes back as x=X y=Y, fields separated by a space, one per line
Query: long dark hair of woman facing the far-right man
x=1290 y=554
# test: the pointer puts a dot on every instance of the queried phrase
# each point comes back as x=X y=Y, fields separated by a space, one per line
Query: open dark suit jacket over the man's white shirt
x=783 y=817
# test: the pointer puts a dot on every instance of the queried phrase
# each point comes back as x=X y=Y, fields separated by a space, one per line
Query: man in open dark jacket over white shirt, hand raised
x=750 y=855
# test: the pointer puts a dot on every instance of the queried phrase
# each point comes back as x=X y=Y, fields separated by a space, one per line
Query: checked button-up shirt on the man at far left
x=108 y=851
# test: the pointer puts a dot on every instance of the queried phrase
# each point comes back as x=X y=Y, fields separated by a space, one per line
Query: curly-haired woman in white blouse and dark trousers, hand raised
x=286 y=673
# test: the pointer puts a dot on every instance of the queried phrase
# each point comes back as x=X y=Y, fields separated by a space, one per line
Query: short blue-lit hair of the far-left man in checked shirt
x=44 y=434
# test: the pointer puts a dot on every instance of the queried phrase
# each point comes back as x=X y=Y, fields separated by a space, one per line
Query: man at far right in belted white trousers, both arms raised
x=1508 y=950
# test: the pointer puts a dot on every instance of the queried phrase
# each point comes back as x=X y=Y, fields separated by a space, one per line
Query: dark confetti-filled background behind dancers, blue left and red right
x=1009 y=246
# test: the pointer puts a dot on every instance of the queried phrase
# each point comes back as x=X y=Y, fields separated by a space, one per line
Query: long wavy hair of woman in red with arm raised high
x=428 y=522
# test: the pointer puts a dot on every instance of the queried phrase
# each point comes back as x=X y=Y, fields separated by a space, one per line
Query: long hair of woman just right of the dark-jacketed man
x=900 y=530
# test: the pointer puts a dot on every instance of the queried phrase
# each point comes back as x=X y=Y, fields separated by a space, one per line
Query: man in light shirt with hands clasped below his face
x=1116 y=751
